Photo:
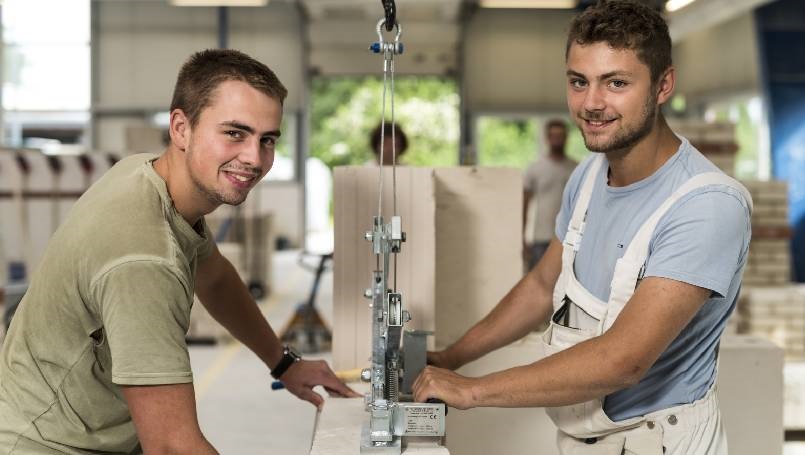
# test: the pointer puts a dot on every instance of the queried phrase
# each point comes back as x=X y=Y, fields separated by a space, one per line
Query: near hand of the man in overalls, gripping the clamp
x=452 y=388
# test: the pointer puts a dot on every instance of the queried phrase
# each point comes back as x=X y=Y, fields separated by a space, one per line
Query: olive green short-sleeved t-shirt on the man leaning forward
x=108 y=306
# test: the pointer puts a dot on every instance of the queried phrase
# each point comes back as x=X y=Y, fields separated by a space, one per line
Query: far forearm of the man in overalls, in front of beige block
x=518 y=313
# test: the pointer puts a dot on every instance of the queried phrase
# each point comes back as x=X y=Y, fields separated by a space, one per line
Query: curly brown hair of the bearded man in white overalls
x=625 y=24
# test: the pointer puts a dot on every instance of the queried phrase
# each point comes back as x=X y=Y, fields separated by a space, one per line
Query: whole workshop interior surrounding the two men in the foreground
x=369 y=267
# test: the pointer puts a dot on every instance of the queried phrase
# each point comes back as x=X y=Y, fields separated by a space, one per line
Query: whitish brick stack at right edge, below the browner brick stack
x=776 y=313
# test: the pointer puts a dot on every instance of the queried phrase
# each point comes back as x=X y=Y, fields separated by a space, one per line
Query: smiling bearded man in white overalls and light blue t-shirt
x=644 y=271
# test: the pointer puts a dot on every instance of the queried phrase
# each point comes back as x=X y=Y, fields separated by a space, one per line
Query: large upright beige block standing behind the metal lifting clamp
x=462 y=249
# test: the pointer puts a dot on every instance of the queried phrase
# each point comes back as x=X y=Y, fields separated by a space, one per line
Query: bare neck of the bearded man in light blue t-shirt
x=644 y=158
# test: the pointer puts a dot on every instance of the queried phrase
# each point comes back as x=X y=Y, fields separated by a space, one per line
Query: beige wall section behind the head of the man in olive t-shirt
x=139 y=46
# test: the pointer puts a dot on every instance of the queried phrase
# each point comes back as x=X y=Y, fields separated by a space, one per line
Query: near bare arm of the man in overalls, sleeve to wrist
x=656 y=314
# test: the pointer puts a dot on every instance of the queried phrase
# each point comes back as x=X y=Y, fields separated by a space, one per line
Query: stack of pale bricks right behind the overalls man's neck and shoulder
x=716 y=141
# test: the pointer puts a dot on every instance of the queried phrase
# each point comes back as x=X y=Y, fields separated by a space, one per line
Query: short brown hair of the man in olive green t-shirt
x=205 y=70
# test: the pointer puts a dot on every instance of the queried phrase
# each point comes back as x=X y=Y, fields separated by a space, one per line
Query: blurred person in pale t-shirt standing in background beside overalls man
x=545 y=179
